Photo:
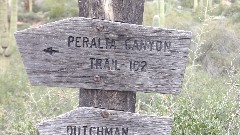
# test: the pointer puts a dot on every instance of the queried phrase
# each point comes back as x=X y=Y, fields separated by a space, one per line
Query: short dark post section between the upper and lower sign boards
x=111 y=100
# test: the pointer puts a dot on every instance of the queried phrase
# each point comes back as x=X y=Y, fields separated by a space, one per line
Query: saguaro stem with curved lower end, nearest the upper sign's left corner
x=13 y=28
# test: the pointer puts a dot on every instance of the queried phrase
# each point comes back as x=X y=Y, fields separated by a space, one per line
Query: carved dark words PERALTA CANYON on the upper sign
x=127 y=44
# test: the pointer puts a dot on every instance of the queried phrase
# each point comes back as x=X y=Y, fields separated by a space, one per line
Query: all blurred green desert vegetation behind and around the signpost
x=210 y=99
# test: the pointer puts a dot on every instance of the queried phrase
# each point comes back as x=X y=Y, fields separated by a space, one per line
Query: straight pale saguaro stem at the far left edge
x=4 y=31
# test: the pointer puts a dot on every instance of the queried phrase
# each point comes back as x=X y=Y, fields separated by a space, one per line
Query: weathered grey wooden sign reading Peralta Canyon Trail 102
x=99 y=54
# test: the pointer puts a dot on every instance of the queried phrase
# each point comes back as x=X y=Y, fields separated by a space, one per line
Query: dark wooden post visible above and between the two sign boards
x=128 y=11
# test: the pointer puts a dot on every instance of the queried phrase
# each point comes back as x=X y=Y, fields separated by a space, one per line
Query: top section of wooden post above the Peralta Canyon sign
x=128 y=11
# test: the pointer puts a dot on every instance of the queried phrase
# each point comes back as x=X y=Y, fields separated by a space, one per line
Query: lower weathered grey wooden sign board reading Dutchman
x=92 y=121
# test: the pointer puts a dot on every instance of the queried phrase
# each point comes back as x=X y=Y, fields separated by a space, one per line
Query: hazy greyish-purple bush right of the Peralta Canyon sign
x=219 y=48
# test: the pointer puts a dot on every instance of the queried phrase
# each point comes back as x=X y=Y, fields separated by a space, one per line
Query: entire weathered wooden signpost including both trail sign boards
x=110 y=61
